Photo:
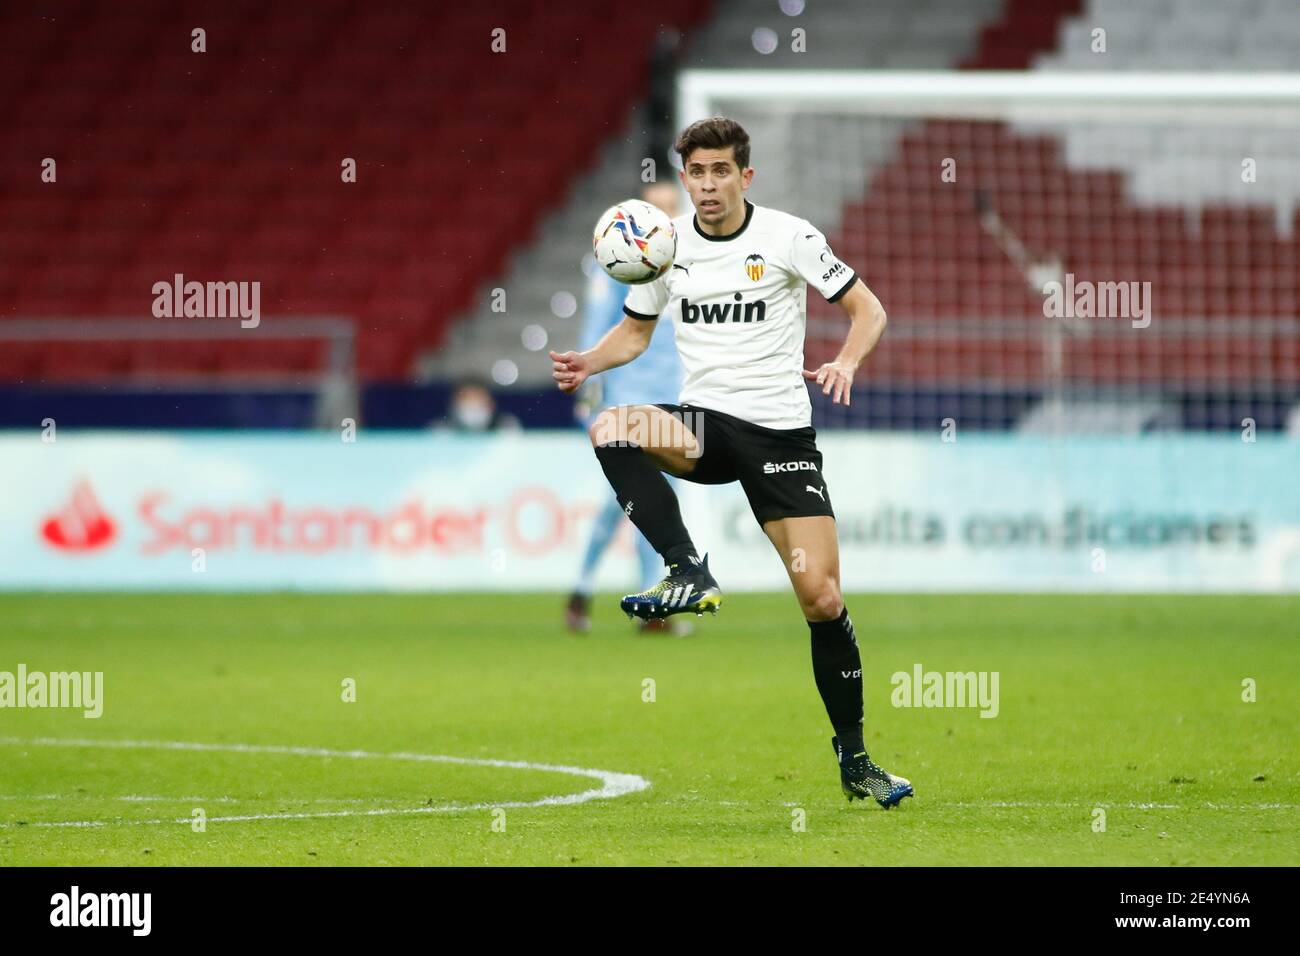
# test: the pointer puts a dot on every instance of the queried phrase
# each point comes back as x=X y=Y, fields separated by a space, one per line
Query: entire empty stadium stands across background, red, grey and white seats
x=226 y=166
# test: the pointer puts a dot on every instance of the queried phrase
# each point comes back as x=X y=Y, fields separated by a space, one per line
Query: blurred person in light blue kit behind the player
x=653 y=378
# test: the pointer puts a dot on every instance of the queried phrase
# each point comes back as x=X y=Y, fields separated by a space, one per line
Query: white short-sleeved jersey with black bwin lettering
x=740 y=308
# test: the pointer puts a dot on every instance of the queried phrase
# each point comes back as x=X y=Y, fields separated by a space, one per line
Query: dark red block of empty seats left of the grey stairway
x=227 y=165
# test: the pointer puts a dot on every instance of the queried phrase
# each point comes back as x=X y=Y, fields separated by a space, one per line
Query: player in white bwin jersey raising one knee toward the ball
x=736 y=293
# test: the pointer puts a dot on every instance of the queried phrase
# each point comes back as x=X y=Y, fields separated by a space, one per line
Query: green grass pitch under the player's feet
x=1128 y=704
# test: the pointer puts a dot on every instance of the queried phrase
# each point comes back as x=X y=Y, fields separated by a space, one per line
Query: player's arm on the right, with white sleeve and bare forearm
x=813 y=259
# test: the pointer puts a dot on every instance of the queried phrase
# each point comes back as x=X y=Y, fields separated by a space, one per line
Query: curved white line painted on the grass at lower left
x=613 y=785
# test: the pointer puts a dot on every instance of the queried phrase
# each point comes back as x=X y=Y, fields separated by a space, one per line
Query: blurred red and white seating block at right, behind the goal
x=1162 y=201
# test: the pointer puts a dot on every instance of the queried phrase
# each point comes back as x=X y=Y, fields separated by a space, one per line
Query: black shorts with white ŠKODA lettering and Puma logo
x=781 y=469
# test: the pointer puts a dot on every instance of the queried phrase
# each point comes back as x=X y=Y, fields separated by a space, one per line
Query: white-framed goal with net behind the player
x=1056 y=253
